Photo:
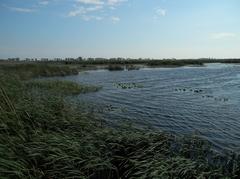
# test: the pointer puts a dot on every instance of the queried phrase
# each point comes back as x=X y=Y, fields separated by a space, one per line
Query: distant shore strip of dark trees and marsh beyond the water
x=116 y=64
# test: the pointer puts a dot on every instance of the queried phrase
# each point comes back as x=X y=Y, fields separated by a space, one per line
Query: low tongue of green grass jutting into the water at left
x=61 y=87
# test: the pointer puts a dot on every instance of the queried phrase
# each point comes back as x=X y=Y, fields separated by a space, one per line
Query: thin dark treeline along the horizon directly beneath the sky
x=126 y=61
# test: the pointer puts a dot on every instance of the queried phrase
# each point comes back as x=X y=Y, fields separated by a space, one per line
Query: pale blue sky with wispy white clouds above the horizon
x=120 y=28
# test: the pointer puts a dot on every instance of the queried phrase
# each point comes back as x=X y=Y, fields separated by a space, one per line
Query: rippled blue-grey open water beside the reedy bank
x=167 y=100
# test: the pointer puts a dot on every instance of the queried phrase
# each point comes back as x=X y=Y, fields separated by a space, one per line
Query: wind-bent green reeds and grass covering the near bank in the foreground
x=43 y=135
